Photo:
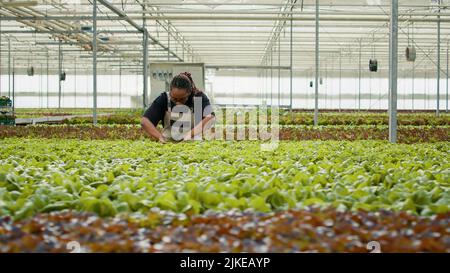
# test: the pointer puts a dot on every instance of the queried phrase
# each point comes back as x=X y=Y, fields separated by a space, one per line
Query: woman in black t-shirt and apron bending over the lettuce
x=183 y=94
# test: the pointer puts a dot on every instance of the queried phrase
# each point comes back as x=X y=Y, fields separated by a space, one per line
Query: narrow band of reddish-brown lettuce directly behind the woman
x=406 y=134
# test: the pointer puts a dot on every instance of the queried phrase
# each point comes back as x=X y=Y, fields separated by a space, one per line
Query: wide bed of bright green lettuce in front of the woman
x=111 y=177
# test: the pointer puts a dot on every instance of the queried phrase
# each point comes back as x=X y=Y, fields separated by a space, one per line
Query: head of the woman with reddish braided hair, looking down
x=181 y=87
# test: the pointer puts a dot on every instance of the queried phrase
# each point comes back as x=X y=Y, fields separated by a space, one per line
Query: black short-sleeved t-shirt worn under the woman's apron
x=155 y=113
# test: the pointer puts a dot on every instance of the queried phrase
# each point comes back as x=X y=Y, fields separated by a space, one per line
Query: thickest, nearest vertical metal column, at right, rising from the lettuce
x=393 y=65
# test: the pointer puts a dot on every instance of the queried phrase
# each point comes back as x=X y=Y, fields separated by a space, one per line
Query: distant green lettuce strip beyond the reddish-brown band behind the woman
x=133 y=116
